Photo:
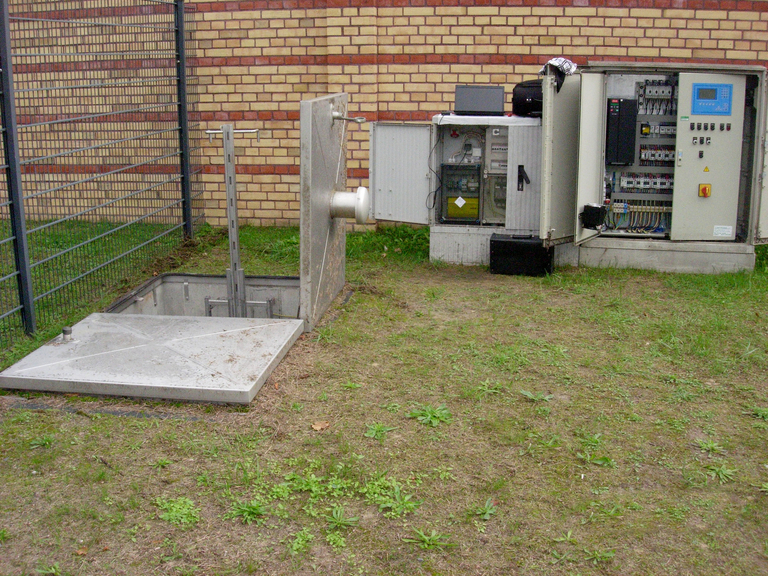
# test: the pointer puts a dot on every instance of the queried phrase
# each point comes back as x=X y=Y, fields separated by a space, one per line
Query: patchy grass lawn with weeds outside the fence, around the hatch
x=440 y=420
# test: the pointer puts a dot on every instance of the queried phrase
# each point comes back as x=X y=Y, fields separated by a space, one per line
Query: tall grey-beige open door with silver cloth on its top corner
x=559 y=161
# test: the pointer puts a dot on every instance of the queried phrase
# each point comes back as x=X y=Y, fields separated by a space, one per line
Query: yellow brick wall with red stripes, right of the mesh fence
x=401 y=60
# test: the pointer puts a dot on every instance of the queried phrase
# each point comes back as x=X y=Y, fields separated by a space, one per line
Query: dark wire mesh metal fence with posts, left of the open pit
x=97 y=179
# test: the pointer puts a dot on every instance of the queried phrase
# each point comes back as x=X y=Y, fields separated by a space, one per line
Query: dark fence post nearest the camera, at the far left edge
x=13 y=175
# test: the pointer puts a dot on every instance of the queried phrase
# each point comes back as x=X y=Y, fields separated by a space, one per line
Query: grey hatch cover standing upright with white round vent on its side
x=323 y=171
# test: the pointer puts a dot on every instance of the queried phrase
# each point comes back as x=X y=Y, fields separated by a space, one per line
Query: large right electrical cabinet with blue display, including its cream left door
x=669 y=152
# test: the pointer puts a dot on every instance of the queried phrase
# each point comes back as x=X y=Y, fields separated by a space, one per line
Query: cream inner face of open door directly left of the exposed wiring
x=591 y=152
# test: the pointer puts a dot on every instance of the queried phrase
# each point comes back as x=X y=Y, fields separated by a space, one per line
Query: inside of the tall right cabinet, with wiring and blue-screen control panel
x=673 y=148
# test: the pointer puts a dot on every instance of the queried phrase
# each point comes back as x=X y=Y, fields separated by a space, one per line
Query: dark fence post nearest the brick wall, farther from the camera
x=181 y=83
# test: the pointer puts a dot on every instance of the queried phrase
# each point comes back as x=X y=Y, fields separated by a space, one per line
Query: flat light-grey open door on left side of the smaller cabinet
x=399 y=172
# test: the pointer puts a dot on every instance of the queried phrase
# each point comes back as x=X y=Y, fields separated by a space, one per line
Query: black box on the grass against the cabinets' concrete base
x=520 y=256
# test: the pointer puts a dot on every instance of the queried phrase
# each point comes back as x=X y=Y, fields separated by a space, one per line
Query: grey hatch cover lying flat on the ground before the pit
x=176 y=358
